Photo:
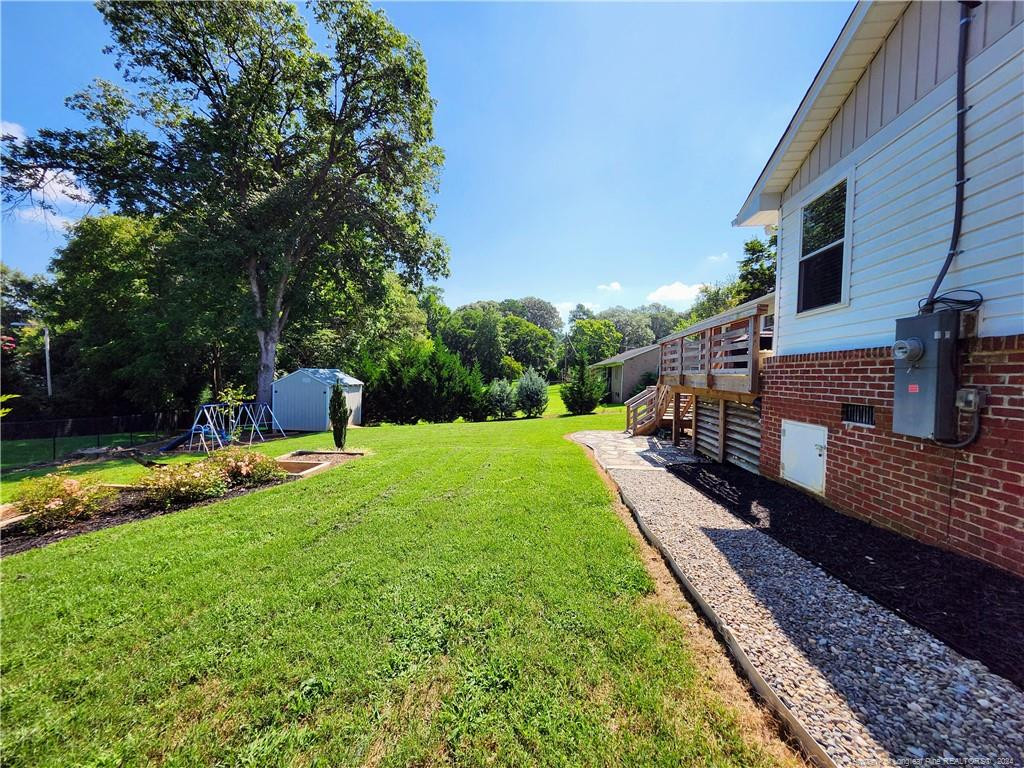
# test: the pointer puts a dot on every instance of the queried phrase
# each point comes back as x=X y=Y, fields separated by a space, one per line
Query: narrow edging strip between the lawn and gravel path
x=808 y=746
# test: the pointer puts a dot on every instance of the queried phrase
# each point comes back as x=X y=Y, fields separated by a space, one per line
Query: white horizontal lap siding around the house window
x=902 y=210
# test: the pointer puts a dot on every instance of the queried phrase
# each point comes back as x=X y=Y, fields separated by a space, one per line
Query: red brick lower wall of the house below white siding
x=971 y=500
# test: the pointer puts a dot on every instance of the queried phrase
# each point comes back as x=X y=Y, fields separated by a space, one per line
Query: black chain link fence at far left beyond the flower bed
x=48 y=441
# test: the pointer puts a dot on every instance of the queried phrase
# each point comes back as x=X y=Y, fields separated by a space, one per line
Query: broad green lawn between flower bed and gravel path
x=465 y=595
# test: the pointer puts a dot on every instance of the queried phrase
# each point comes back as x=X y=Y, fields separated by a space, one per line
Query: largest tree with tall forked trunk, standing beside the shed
x=285 y=167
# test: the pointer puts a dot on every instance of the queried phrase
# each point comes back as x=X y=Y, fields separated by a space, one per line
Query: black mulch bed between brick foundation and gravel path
x=973 y=608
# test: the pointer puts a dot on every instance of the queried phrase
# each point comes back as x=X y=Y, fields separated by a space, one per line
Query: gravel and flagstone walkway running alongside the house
x=871 y=690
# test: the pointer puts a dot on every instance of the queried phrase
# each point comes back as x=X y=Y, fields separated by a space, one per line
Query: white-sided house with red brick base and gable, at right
x=863 y=188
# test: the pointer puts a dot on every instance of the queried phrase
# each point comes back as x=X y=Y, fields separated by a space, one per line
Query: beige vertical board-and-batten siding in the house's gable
x=919 y=55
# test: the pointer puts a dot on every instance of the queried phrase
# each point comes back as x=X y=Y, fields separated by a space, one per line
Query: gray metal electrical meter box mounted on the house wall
x=925 y=391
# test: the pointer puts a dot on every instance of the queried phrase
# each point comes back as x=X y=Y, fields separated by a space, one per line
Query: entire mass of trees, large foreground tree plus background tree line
x=263 y=203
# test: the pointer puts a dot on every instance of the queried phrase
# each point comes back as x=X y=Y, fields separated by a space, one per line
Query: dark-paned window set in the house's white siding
x=822 y=248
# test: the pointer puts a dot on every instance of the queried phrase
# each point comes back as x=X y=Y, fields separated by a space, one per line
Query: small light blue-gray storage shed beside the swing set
x=303 y=399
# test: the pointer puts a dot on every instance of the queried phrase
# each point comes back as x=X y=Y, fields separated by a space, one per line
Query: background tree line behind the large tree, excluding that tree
x=131 y=335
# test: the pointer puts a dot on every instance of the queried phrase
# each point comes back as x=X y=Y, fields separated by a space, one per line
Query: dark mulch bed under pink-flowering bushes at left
x=130 y=506
